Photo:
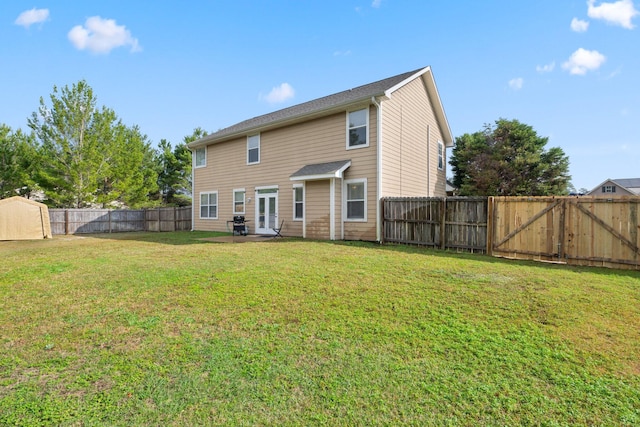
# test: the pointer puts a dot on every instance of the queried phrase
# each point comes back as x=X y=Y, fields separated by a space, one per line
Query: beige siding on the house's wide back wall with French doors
x=283 y=151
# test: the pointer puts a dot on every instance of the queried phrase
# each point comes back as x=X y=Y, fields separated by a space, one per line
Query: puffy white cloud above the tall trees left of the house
x=101 y=36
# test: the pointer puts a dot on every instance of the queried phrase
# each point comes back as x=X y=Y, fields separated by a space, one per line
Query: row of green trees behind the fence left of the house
x=78 y=154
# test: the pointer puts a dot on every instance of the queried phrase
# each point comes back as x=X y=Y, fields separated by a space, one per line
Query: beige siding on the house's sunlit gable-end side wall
x=410 y=144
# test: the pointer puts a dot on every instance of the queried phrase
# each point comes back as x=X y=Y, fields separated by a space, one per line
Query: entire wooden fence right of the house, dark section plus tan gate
x=572 y=230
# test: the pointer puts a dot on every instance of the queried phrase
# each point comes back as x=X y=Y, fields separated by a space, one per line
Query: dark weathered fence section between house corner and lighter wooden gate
x=458 y=223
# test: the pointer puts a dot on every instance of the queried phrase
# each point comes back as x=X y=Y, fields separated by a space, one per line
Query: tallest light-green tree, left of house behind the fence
x=88 y=156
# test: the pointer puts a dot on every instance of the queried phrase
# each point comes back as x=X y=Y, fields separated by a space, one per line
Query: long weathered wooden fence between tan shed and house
x=83 y=221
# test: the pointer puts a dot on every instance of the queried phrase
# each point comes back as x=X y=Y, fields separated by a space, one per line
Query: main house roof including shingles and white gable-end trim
x=328 y=104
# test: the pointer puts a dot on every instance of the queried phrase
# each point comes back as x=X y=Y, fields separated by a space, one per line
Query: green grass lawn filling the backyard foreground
x=166 y=329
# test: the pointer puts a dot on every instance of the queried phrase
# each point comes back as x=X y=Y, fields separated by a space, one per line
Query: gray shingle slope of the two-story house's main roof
x=346 y=97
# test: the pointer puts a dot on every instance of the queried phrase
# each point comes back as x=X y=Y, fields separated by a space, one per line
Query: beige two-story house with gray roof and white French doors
x=322 y=166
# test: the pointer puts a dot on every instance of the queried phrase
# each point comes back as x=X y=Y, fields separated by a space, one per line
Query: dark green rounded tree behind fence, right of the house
x=508 y=159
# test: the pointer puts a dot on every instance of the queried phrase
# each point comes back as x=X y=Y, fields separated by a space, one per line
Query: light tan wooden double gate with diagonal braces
x=579 y=231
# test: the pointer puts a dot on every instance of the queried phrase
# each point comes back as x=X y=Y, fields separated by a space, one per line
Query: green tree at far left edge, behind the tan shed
x=18 y=162
